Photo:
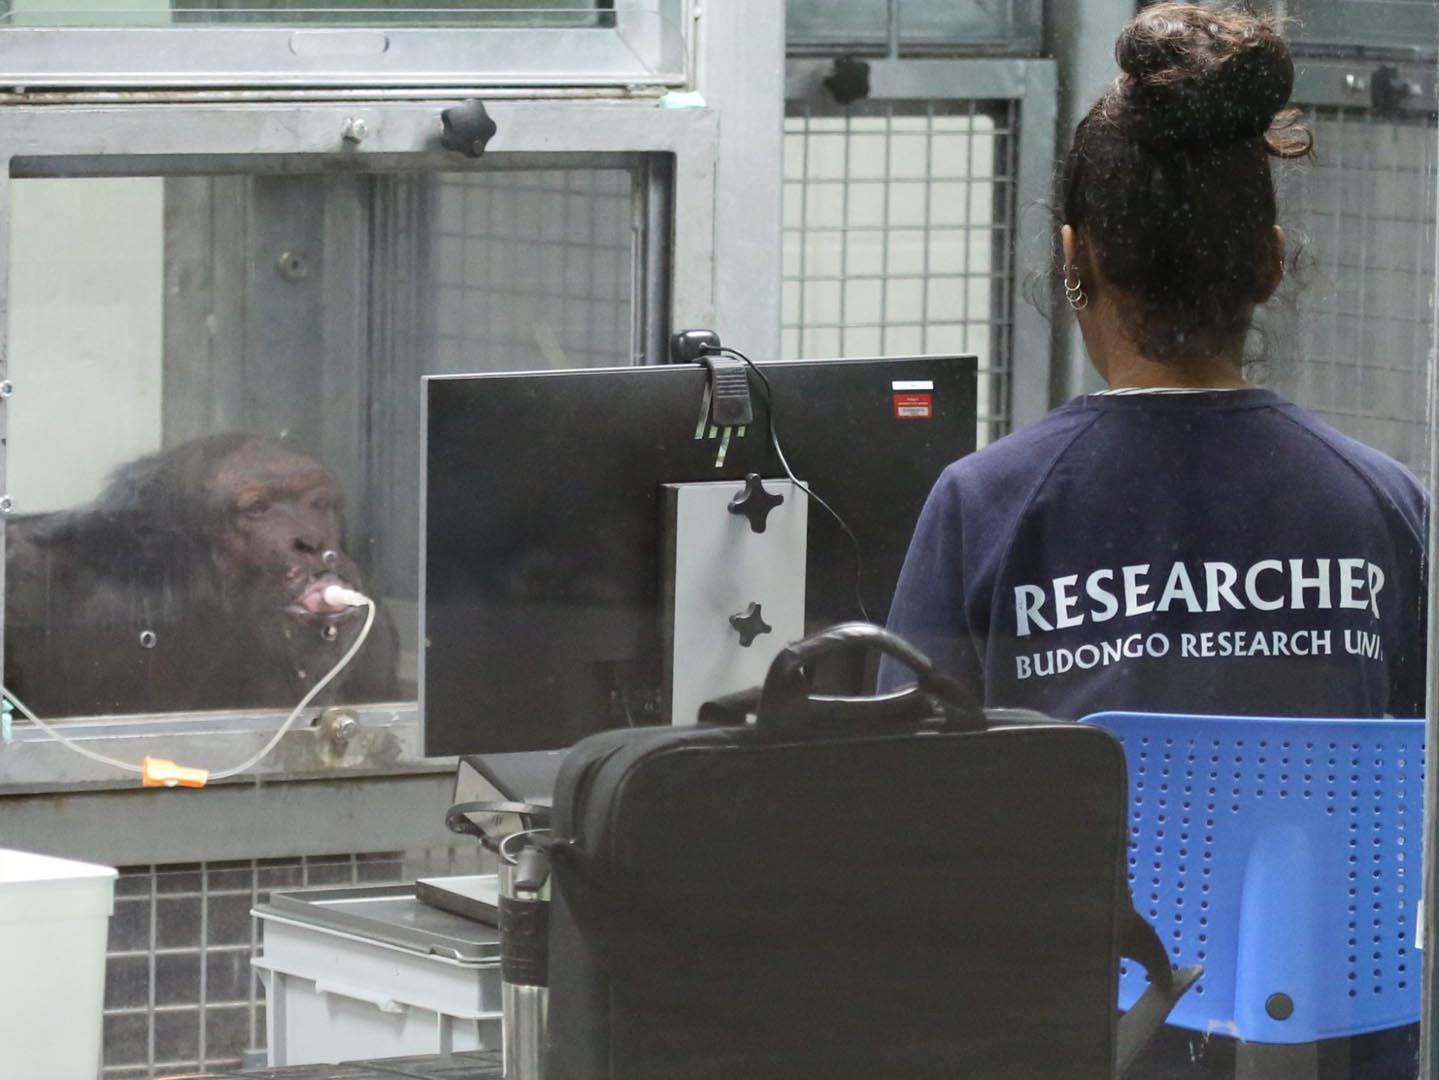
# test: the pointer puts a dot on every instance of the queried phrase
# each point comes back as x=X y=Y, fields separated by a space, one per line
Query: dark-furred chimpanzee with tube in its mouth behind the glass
x=208 y=547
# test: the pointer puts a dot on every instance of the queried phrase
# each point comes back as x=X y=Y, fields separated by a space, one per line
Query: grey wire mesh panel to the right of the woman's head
x=1365 y=214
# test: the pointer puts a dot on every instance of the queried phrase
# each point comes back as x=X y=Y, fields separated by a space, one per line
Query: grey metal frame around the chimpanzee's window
x=142 y=140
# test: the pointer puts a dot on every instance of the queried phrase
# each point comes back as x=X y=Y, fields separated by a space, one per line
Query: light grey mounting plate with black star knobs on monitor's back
x=733 y=586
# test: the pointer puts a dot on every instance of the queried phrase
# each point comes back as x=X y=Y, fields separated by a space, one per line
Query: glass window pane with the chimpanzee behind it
x=156 y=563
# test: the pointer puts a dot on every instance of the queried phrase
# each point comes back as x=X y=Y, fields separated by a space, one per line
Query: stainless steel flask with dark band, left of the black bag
x=525 y=953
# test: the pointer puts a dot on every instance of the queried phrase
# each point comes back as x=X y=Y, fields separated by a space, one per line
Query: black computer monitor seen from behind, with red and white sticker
x=549 y=526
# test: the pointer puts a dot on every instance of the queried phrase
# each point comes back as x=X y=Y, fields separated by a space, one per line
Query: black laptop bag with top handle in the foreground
x=845 y=889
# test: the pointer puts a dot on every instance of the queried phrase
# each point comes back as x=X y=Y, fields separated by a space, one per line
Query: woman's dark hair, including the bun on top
x=1169 y=183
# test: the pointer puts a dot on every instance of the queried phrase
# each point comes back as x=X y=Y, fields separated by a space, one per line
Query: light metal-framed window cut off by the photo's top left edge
x=349 y=45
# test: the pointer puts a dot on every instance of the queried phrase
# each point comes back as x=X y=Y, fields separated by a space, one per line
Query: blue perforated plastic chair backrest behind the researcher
x=1284 y=855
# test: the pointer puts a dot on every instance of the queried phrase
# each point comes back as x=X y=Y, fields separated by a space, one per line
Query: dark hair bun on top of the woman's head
x=1204 y=77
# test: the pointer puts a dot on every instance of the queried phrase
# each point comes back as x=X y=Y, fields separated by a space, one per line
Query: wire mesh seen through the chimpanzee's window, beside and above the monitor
x=513 y=271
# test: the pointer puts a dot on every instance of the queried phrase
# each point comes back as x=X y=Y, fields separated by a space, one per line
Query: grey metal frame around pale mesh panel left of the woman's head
x=1034 y=84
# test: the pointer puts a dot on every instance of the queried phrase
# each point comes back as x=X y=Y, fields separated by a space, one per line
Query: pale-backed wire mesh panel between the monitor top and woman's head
x=899 y=225
